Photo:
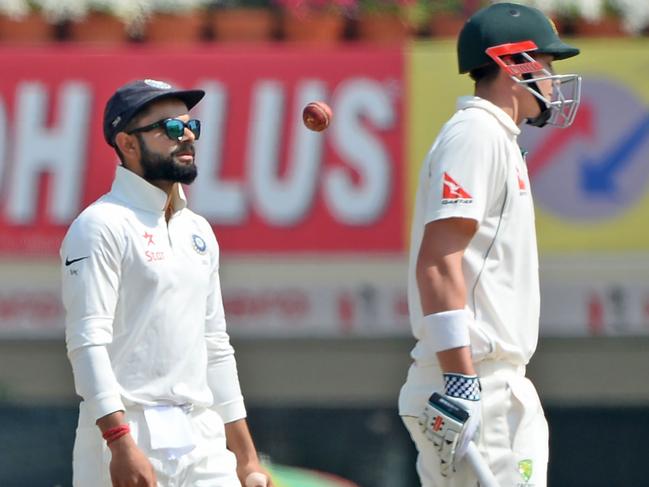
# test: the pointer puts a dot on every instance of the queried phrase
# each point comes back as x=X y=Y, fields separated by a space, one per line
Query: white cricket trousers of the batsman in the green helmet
x=513 y=436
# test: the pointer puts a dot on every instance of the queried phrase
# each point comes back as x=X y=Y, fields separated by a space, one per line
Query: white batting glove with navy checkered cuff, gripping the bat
x=451 y=421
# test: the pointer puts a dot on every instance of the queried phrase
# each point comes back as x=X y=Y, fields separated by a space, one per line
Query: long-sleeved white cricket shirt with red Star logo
x=148 y=293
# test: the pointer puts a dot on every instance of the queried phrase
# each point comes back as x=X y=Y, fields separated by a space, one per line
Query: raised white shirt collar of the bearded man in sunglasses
x=138 y=192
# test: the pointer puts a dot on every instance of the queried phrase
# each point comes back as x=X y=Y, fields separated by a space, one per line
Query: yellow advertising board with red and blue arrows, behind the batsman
x=591 y=181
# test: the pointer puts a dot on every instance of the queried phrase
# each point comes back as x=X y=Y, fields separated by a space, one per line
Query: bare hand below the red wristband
x=129 y=466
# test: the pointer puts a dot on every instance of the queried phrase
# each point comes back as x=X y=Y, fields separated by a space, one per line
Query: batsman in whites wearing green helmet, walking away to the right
x=473 y=290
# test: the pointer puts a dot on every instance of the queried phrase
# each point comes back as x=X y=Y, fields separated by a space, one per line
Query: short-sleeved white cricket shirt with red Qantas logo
x=475 y=170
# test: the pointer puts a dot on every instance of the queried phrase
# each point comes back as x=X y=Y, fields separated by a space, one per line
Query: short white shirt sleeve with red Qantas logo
x=464 y=173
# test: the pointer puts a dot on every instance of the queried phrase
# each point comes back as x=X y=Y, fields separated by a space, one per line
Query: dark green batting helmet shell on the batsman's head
x=505 y=23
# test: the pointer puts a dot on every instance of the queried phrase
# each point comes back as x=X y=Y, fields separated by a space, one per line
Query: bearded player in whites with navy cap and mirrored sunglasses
x=145 y=325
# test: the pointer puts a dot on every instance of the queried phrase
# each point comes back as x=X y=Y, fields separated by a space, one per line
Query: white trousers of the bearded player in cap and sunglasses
x=209 y=464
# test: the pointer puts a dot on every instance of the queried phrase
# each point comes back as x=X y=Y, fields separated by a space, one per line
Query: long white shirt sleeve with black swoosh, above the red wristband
x=90 y=281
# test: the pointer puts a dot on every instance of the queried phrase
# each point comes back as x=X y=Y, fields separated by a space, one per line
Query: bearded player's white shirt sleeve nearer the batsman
x=222 y=375
